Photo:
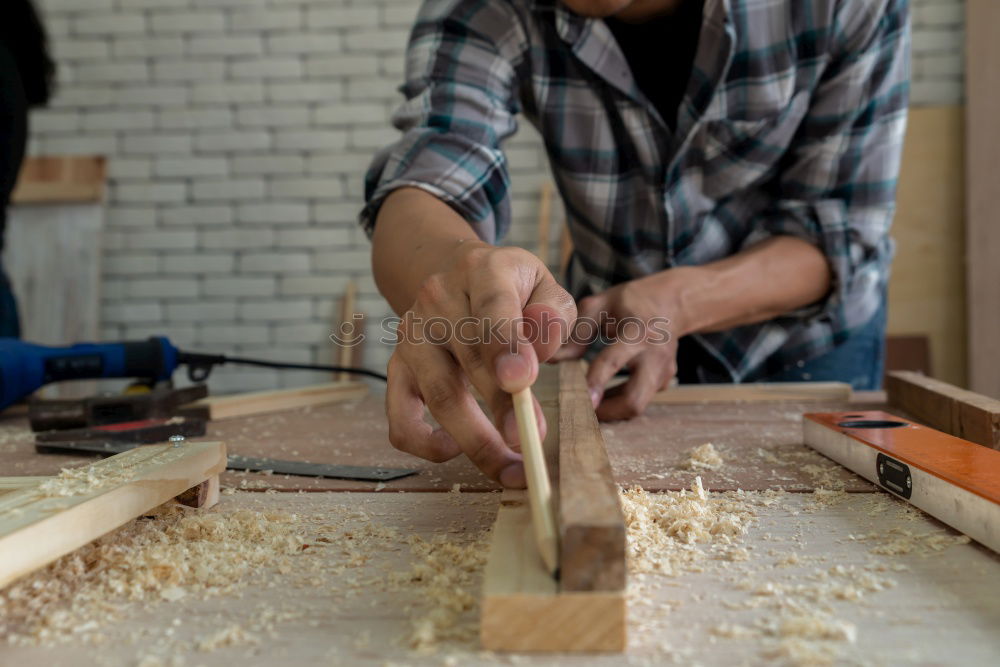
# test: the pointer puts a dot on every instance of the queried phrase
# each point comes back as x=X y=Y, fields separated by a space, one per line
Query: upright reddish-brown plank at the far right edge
x=982 y=92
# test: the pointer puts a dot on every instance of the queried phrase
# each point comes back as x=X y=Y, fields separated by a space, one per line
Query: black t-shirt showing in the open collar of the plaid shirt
x=660 y=52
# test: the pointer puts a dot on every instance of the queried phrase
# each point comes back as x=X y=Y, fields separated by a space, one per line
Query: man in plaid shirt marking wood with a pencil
x=727 y=164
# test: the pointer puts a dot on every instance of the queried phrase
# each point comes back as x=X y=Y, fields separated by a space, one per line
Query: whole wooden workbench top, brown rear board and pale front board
x=905 y=588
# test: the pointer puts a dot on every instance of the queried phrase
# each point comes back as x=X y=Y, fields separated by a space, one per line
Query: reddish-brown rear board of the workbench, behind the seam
x=761 y=444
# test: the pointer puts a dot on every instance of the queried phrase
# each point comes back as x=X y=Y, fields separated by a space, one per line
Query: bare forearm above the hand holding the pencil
x=416 y=235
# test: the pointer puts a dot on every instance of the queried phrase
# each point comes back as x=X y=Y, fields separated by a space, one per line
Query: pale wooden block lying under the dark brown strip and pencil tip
x=523 y=608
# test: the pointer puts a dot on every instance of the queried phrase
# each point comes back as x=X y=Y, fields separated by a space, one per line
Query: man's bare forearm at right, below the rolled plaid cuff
x=763 y=282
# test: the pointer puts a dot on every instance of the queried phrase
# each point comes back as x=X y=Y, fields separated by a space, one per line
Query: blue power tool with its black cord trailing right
x=25 y=367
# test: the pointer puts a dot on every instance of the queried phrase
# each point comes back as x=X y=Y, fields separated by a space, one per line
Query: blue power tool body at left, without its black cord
x=26 y=367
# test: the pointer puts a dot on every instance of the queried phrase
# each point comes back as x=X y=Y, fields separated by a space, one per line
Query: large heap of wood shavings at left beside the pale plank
x=178 y=553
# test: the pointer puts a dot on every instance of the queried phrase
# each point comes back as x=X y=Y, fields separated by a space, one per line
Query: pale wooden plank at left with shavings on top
x=40 y=523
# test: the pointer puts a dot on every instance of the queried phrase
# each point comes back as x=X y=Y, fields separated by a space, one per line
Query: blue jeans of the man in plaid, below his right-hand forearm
x=859 y=361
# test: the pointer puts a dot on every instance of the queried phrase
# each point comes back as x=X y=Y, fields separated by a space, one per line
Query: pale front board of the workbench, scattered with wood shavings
x=816 y=579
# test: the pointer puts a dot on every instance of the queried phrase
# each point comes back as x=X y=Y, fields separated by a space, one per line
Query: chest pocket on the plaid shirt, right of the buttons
x=735 y=155
